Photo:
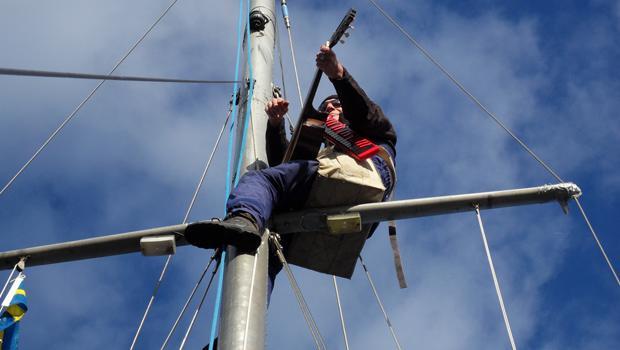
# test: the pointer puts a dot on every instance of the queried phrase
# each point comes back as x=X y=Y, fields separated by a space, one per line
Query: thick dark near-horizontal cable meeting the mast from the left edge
x=51 y=74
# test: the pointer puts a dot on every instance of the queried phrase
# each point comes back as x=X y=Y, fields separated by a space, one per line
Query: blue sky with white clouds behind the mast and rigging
x=133 y=155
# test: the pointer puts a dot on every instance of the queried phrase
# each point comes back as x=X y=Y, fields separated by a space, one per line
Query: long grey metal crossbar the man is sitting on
x=309 y=220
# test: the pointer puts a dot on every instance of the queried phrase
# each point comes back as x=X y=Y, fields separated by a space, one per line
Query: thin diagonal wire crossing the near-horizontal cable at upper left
x=85 y=100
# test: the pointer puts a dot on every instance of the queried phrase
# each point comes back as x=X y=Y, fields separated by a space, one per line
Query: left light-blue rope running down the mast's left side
x=218 y=298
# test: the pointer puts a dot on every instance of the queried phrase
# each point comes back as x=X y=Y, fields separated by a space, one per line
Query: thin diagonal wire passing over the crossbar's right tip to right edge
x=495 y=118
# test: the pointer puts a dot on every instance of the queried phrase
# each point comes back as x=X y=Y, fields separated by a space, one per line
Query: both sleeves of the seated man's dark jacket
x=364 y=116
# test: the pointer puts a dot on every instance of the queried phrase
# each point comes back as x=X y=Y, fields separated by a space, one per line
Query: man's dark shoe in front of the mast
x=238 y=231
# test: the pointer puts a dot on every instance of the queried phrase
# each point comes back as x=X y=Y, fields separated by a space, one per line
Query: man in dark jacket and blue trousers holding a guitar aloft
x=298 y=183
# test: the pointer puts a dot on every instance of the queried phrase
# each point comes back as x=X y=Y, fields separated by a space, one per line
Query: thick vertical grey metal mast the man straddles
x=244 y=301
